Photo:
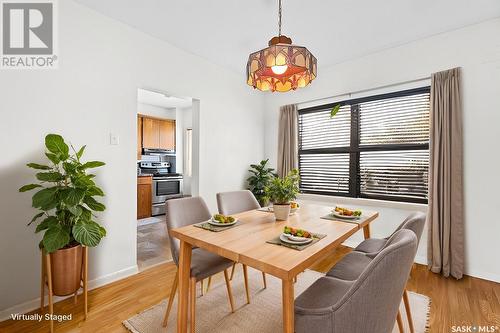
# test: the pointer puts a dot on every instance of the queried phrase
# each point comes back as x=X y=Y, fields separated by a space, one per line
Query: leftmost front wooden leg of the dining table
x=184 y=275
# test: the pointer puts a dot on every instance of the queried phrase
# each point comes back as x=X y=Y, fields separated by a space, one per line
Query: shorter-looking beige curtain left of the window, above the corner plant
x=287 y=140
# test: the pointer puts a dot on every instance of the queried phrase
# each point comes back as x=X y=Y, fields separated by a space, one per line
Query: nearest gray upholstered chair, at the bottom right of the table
x=367 y=304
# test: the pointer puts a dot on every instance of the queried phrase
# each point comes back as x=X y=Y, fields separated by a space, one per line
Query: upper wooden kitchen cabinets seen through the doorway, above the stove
x=158 y=133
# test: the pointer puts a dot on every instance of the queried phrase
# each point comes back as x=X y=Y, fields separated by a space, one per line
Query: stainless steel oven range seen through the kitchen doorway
x=163 y=188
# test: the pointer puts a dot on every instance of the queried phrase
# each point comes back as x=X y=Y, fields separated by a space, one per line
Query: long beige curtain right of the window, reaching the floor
x=446 y=231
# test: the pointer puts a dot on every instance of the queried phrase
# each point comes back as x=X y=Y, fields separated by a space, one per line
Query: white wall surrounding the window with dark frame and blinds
x=477 y=50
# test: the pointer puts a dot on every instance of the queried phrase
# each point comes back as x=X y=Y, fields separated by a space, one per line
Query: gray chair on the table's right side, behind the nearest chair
x=352 y=264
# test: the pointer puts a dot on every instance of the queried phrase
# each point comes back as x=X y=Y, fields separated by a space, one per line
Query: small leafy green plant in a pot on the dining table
x=281 y=191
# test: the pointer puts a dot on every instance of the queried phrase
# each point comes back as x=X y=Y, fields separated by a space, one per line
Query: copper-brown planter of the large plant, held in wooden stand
x=66 y=270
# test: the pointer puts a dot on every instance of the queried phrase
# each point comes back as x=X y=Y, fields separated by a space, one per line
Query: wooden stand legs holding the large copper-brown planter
x=46 y=279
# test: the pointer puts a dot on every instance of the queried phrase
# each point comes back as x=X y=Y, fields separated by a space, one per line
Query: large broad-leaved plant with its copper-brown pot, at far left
x=65 y=200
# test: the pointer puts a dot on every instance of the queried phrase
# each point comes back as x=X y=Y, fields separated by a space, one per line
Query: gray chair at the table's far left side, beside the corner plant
x=235 y=202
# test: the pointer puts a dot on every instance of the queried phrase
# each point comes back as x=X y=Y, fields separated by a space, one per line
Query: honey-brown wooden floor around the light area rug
x=469 y=301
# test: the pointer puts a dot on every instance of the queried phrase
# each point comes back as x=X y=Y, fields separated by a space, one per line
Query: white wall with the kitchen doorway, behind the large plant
x=94 y=93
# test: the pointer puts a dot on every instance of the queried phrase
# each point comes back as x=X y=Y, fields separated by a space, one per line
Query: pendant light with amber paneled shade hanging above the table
x=281 y=66
